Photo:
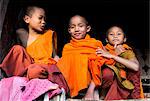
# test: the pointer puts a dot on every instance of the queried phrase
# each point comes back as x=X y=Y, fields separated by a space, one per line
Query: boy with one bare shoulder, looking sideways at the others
x=35 y=61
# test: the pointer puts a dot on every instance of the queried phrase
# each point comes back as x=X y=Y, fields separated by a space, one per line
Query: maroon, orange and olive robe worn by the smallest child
x=116 y=90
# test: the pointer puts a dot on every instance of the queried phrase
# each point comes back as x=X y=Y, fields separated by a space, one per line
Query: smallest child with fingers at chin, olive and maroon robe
x=121 y=80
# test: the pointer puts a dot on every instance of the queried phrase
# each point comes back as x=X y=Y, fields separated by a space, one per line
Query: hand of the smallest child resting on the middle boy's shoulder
x=101 y=52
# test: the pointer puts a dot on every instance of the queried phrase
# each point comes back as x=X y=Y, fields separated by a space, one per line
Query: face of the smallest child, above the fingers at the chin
x=115 y=36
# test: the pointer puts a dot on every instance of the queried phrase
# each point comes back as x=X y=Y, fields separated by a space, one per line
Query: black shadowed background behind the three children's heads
x=133 y=16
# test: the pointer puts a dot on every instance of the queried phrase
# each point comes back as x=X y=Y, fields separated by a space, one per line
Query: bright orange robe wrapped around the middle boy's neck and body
x=74 y=63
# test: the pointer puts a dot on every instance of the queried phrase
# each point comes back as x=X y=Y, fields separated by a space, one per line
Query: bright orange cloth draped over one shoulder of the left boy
x=41 y=49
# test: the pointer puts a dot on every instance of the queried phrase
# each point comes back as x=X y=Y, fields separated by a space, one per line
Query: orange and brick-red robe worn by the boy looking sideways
x=37 y=54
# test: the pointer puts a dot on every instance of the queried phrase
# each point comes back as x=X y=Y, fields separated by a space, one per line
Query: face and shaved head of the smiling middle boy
x=78 y=27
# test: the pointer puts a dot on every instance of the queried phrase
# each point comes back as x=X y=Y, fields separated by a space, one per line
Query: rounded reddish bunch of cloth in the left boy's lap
x=36 y=71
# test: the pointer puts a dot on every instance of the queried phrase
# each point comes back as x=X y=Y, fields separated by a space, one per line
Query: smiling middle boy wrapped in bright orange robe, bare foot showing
x=74 y=61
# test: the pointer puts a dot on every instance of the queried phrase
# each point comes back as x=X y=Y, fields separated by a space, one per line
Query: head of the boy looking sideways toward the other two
x=37 y=20
